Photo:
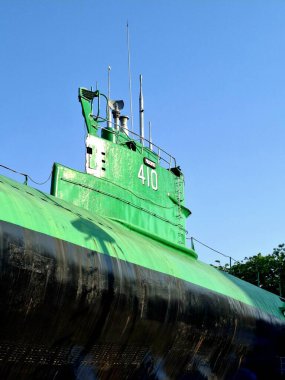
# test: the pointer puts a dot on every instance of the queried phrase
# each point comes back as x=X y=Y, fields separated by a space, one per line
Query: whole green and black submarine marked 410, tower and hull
x=97 y=281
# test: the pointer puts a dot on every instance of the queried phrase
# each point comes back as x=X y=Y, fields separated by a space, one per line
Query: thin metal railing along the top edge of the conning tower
x=164 y=158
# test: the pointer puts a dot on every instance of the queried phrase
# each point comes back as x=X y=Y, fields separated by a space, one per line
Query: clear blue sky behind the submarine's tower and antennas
x=214 y=88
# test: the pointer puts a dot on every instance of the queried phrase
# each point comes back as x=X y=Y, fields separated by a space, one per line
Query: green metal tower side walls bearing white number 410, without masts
x=122 y=186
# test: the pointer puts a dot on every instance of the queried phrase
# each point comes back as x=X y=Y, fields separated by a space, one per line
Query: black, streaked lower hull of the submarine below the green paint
x=70 y=313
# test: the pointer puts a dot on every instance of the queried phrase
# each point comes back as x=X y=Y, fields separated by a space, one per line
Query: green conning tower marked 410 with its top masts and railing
x=124 y=169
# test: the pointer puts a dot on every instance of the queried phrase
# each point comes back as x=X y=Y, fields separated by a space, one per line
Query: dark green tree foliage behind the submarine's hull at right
x=267 y=272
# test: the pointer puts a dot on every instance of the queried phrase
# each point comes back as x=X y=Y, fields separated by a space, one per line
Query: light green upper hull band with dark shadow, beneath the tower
x=47 y=214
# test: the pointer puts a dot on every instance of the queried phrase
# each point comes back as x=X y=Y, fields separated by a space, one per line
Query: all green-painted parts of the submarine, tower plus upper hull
x=122 y=209
